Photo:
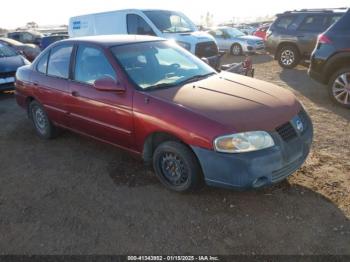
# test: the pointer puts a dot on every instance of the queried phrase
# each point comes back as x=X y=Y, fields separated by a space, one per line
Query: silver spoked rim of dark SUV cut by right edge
x=341 y=89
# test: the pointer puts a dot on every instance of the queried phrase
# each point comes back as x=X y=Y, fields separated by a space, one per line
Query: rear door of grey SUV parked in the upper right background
x=311 y=26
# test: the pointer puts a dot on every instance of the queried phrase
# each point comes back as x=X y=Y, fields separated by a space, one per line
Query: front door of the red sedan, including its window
x=105 y=115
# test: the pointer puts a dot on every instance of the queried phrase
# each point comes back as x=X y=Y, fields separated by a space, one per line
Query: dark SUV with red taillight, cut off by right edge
x=330 y=61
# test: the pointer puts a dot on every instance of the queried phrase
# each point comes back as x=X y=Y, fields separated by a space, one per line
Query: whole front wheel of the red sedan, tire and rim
x=177 y=167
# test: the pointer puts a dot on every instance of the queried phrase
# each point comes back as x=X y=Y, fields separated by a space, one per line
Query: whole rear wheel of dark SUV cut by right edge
x=339 y=87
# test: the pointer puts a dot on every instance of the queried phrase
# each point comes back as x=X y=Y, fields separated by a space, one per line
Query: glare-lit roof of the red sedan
x=113 y=40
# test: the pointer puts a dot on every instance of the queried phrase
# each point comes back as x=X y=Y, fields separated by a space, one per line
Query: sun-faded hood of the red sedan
x=240 y=103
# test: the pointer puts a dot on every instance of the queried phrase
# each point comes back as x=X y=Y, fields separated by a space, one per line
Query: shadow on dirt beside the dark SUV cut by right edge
x=299 y=80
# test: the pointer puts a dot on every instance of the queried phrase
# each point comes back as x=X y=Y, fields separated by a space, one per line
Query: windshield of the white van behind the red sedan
x=170 y=22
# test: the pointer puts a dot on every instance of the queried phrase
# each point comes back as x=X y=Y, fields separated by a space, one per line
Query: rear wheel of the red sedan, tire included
x=42 y=124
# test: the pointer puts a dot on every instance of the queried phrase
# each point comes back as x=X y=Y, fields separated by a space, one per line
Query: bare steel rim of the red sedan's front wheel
x=173 y=169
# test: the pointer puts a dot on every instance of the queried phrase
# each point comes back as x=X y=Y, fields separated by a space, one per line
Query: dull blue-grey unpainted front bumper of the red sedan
x=259 y=168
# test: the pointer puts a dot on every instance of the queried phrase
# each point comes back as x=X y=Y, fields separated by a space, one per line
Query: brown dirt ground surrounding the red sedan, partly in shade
x=73 y=195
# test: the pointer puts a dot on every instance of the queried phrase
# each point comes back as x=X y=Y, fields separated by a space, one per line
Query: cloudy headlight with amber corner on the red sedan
x=243 y=142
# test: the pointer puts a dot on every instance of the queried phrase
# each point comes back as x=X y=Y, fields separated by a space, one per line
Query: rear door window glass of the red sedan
x=59 y=61
